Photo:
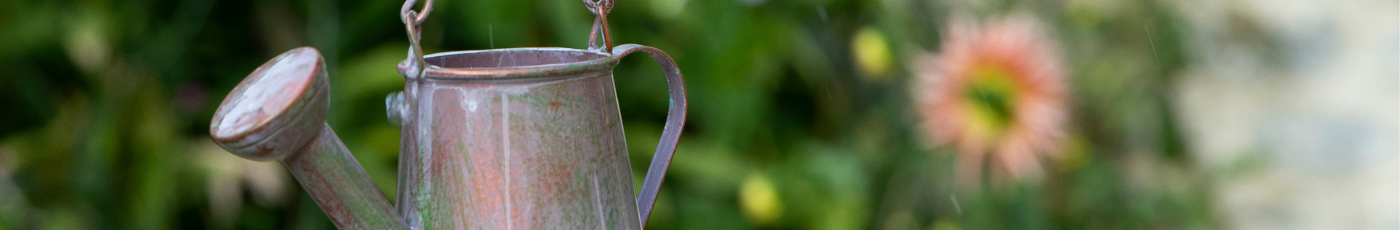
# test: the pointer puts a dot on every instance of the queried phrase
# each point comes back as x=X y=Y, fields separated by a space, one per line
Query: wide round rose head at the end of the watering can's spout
x=276 y=110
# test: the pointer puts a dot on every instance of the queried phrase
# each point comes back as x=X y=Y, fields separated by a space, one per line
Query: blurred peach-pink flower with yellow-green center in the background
x=995 y=93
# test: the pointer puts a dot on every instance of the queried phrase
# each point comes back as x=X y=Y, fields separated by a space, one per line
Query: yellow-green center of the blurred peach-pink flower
x=990 y=96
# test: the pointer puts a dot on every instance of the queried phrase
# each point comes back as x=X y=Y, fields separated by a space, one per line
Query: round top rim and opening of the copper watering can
x=596 y=61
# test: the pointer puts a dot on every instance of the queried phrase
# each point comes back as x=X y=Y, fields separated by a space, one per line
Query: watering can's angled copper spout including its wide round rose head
x=279 y=113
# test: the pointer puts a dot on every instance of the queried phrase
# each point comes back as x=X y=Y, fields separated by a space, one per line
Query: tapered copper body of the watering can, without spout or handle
x=540 y=148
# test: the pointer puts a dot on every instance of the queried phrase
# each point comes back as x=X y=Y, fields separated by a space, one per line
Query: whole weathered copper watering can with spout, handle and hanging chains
x=526 y=138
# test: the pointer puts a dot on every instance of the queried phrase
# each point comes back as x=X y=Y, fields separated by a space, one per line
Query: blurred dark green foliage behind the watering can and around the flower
x=107 y=107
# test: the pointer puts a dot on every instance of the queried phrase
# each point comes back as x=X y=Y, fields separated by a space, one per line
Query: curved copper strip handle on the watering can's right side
x=670 y=137
